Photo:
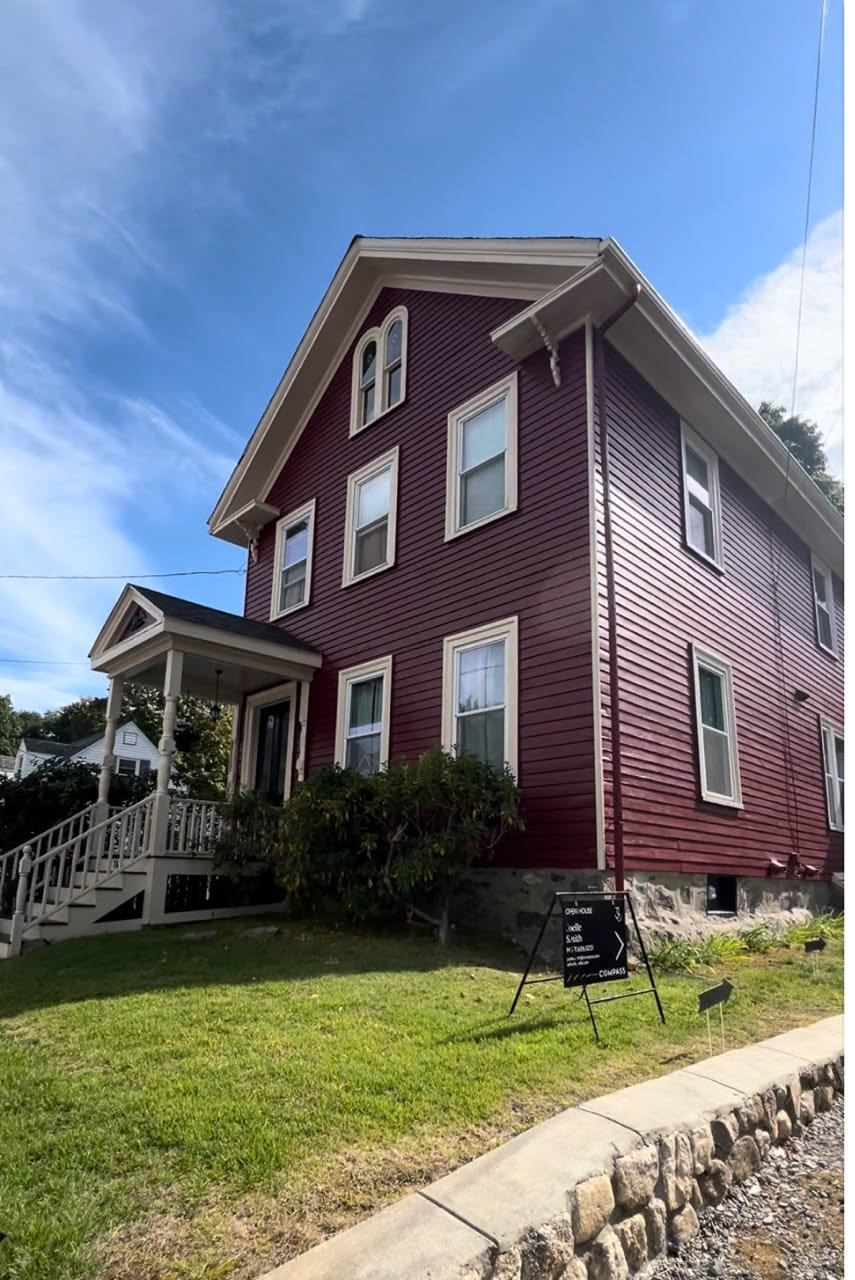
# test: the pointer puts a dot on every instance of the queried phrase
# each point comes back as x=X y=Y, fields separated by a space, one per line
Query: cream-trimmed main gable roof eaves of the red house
x=564 y=281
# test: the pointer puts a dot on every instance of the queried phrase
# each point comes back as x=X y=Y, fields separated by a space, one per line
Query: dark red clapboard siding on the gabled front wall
x=533 y=564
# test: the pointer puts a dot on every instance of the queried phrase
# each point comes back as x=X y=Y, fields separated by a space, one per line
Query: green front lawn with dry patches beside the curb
x=200 y=1110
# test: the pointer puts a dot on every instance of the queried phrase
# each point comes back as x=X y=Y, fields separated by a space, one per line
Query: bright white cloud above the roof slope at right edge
x=756 y=344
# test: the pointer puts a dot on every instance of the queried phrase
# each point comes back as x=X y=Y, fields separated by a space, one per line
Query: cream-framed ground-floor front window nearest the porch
x=363 y=721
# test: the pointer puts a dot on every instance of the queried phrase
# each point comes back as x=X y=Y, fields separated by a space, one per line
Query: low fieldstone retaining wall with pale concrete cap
x=598 y=1191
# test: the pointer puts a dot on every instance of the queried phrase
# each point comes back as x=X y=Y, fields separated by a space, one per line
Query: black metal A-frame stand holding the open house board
x=595 y=947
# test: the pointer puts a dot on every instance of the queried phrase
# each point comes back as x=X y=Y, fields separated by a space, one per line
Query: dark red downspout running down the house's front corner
x=615 y=701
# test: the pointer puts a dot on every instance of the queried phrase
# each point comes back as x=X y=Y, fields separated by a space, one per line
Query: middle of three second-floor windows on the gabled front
x=372 y=518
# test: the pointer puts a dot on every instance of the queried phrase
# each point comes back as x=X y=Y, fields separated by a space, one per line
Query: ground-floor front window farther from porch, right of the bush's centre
x=481 y=694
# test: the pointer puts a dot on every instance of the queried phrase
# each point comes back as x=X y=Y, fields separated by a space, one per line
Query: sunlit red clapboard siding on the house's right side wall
x=667 y=600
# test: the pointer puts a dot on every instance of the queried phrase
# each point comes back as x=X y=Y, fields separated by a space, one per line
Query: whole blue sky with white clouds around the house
x=180 y=180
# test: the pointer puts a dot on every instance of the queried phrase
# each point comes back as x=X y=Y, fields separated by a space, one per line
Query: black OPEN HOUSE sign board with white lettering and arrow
x=595 y=940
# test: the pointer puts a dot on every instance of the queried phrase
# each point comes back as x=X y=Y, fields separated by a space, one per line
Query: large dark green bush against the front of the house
x=382 y=847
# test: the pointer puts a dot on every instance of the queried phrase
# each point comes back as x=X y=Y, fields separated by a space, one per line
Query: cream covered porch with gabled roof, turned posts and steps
x=153 y=862
